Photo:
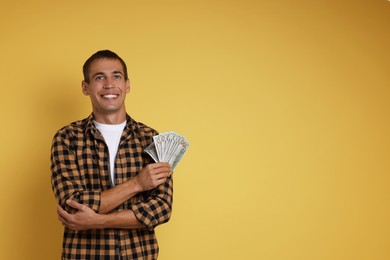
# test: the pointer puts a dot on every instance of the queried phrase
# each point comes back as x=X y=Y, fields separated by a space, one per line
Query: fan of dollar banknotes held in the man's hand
x=168 y=147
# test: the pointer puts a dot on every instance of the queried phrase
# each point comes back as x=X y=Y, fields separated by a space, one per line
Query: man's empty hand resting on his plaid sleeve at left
x=85 y=218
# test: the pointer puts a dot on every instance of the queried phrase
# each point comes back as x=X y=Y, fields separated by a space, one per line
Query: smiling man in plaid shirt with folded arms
x=110 y=194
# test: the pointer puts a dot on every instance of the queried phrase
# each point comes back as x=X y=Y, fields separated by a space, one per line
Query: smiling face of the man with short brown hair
x=107 y=87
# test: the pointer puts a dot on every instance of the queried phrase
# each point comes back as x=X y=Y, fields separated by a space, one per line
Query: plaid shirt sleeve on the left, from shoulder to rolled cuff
x=66 y=180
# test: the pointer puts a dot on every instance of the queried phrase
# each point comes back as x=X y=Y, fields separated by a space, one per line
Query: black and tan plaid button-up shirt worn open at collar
x=80 y=171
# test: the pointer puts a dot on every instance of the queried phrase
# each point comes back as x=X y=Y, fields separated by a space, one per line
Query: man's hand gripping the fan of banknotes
x=152 y=175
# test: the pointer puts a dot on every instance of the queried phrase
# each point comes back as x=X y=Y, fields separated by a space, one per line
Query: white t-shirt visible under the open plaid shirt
x=112 y=135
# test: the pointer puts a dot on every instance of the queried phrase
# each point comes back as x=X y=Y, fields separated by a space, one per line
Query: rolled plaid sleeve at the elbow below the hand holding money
x=157 y=207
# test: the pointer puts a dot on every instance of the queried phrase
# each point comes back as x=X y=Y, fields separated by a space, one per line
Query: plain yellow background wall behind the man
x=285 y=103
